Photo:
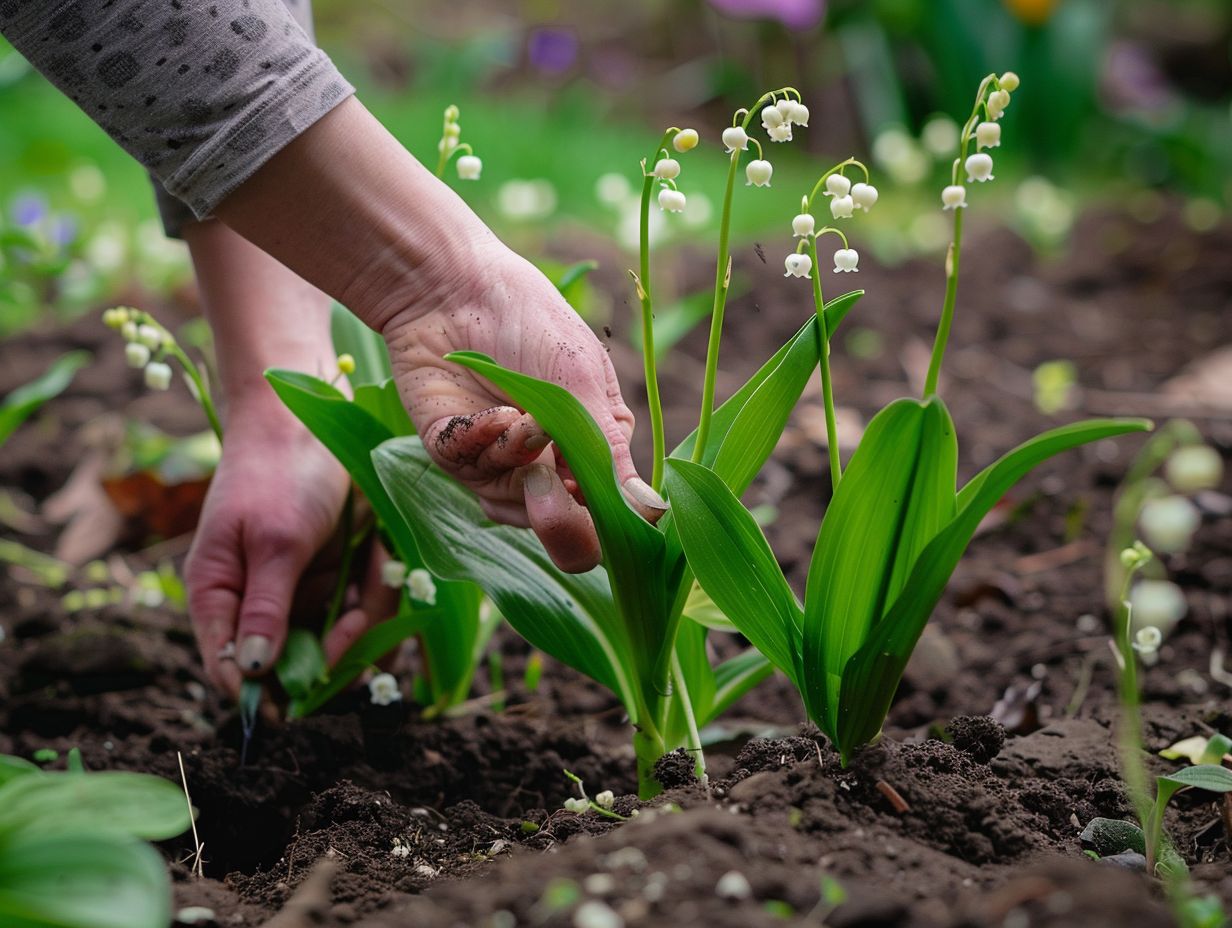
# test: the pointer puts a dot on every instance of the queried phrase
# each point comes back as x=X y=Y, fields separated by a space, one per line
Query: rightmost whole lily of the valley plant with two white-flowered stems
x=896 y=526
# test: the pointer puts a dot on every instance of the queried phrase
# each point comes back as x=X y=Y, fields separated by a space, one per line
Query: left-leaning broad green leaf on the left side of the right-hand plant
x=734 y=563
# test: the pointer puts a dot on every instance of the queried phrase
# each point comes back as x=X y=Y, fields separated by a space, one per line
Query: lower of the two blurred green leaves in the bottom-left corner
x=82 y=881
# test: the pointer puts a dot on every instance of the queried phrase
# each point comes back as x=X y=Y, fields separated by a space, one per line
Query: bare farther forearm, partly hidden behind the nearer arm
x=263 y=316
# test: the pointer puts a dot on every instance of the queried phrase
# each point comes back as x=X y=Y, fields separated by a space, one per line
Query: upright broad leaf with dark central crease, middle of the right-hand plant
x=898 y=492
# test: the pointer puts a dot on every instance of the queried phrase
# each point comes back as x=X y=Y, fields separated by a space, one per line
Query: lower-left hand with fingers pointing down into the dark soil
x=262 y=549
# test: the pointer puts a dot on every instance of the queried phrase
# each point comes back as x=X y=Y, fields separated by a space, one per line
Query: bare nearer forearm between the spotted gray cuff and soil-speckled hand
x=353 y=213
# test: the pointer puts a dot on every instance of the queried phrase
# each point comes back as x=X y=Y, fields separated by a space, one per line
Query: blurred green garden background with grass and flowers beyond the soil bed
x=1123 y=102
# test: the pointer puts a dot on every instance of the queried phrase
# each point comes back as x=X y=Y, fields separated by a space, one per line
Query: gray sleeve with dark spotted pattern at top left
x=203 y=93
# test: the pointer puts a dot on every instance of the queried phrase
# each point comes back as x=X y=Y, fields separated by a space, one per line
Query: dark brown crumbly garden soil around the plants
x=954 y=820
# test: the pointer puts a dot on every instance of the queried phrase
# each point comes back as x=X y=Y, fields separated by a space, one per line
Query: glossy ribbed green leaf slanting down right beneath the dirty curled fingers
x=570 y=617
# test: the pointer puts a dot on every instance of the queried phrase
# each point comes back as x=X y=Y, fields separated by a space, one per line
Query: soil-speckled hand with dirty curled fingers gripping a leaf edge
x=507 y=310
